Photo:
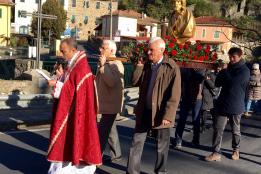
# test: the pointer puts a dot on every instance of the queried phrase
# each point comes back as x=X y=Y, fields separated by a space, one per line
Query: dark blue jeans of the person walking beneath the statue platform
x=184 y=111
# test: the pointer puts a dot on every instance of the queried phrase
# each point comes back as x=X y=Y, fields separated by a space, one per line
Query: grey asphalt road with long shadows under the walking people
x=24 y=152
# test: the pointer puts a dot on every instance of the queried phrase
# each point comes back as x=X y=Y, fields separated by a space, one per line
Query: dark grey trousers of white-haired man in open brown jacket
x=162 y=147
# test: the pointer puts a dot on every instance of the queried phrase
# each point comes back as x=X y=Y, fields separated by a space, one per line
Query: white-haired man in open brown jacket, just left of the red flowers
x=159 y=95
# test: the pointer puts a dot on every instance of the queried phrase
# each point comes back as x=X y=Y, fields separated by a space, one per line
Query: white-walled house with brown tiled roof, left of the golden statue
x=129 y=23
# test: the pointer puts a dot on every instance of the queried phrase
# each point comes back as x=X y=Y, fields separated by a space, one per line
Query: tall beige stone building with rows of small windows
x=83 y=16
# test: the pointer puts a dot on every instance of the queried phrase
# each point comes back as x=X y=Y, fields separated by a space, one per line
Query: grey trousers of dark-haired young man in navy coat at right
x=219 y=127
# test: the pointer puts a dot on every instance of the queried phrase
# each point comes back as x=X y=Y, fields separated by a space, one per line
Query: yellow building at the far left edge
x=5 y=21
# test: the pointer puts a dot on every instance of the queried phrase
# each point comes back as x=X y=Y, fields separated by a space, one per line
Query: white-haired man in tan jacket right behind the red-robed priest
x=110 y=88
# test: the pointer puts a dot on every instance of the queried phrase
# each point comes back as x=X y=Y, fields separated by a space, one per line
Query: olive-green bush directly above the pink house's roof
x=203 y=8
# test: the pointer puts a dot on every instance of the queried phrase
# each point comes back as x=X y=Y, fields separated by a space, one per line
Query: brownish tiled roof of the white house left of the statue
x=143 y=19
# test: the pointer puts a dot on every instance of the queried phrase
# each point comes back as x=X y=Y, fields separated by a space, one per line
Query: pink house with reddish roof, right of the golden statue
x=214 y=31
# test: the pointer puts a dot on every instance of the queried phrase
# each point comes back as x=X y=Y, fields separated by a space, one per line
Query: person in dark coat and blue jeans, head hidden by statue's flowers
x=192 y=82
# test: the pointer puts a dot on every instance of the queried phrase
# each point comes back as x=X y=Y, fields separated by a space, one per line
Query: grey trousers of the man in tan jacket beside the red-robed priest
x=108 y=134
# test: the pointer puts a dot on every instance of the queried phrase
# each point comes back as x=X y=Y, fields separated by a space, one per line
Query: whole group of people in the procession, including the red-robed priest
x=77 y=141
